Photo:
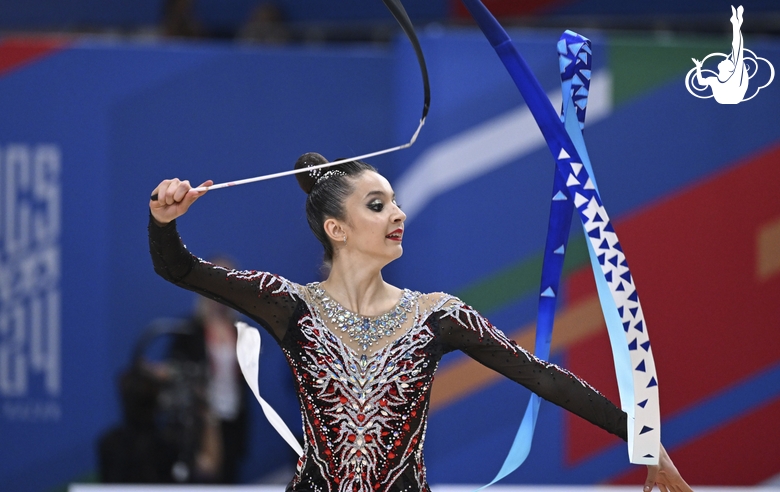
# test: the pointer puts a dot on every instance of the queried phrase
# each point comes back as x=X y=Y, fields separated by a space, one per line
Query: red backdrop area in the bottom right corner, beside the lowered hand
x=746 y=451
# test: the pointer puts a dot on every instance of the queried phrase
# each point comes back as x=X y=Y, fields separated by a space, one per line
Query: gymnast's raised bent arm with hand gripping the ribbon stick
x=266 y=298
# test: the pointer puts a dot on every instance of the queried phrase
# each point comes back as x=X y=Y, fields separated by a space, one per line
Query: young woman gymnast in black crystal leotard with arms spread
x=363 y=352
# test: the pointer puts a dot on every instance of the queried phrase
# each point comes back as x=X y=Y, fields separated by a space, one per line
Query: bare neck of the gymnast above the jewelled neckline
x=360 y=287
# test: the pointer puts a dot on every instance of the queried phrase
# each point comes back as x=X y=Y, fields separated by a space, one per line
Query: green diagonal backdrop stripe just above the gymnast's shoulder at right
x=520 y=280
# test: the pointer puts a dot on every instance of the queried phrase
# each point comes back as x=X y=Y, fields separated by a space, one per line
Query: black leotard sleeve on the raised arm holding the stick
x=268 y=299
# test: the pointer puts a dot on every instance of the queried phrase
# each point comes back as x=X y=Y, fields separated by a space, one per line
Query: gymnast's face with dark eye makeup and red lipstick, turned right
x=374 y=223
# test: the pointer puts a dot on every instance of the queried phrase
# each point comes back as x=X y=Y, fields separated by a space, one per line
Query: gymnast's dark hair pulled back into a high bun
x=327 y=189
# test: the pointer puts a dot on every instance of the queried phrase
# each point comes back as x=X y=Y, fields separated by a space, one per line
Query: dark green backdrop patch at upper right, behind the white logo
x=640 y=63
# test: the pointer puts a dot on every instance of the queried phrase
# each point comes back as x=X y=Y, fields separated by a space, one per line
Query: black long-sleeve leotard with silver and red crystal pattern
x=365 y=413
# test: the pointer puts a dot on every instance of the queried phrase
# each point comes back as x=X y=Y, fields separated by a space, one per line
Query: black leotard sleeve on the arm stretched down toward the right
x=463 y=328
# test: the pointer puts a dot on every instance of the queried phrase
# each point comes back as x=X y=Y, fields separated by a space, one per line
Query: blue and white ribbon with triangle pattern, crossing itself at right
x=634 y=365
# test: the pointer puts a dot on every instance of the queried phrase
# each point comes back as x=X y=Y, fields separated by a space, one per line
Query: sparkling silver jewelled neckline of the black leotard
x=365 y=331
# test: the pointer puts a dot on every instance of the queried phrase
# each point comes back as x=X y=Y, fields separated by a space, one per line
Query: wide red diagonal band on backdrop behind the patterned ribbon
x=712 y=318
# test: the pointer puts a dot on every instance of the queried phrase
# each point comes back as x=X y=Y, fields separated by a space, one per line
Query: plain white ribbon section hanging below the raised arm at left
x=248 y=353
